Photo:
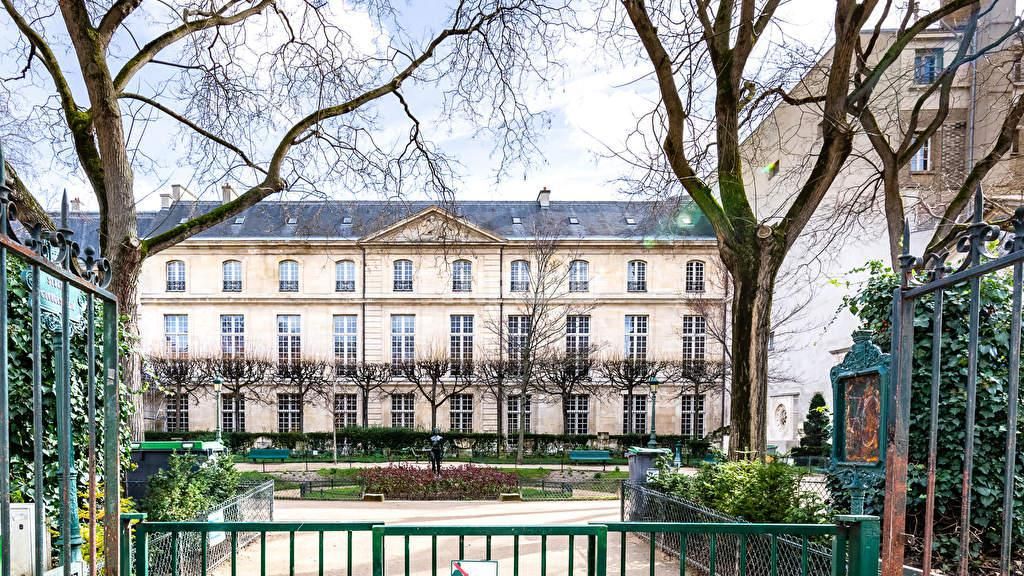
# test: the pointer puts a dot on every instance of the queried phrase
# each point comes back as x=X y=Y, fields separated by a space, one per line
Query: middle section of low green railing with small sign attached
x=595 y=536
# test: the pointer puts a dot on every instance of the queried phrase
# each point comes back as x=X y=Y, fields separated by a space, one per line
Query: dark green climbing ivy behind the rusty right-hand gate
x=873 y=306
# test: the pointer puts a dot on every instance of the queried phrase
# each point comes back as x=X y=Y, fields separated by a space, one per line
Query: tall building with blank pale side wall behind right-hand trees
x=850 y=229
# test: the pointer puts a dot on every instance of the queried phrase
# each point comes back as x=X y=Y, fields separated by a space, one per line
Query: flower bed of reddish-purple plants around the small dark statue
x=455 y=483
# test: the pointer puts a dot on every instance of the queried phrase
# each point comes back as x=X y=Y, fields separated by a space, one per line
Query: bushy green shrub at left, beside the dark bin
x=188 y=487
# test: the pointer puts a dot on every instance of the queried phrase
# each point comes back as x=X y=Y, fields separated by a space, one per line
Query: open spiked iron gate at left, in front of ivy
x=54 y=293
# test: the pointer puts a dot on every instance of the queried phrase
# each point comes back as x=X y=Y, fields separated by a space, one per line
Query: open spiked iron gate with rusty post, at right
x=985 y=252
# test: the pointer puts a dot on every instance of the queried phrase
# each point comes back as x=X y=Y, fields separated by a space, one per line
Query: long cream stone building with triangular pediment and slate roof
x=392 y=282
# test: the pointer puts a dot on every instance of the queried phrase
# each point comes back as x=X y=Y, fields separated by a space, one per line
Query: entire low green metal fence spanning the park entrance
x=404 y=549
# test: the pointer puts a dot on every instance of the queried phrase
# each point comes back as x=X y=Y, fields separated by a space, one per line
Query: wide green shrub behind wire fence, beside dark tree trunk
x=751 y=490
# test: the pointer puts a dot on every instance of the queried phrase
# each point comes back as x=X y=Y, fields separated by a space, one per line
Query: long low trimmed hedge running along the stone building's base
x=377 y=439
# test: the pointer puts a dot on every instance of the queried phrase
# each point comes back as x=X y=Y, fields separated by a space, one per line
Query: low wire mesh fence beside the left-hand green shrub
x=255 y=504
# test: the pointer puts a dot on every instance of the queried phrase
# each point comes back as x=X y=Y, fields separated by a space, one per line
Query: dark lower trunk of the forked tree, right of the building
x=752 y=302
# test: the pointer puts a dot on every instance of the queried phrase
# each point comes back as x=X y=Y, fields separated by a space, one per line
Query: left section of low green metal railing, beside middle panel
x=231 y=531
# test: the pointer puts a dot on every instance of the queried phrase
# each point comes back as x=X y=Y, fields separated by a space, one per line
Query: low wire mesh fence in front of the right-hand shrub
x=756 y=558
